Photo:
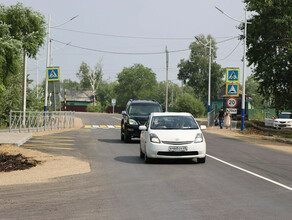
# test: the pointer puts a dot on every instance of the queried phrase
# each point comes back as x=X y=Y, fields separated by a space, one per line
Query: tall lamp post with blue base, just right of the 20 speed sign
x=244 y=65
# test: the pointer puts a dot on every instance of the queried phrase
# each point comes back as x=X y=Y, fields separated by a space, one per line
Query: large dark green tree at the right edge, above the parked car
x=269 y=49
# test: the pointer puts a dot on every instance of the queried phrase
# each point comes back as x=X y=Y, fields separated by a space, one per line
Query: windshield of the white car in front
x=173 y=122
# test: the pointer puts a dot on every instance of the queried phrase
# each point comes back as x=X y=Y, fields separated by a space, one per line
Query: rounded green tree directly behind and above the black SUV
x=135 y=82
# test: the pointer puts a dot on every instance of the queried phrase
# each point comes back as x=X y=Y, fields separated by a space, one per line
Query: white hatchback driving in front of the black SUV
x=172 y=135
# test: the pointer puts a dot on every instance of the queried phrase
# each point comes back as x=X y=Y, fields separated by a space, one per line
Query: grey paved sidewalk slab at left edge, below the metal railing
x=14 y=138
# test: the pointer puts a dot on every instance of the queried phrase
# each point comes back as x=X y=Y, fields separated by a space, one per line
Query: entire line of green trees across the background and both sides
x=269 y=52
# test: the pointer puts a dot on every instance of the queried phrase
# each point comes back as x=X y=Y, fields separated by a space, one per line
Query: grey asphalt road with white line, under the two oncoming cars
x=238 y=181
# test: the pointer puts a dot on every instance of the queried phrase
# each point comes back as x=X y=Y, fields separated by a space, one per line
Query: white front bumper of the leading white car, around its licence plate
x=194 y=150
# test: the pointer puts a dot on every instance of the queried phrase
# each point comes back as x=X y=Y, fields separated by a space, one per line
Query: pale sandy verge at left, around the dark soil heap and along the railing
x=50 y=166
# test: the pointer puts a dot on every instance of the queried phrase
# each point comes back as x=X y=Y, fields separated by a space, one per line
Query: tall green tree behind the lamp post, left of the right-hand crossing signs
x=195 y=71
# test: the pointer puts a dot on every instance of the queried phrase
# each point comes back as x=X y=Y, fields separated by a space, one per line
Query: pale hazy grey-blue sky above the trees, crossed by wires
x=136 y=27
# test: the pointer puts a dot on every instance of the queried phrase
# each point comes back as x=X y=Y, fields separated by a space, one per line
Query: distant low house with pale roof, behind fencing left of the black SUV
x=76 y=100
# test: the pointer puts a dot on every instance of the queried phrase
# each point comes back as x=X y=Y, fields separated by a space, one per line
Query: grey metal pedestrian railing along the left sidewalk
x=40 y=121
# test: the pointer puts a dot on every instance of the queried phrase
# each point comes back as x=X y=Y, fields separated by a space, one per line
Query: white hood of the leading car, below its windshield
x=177 y=135
